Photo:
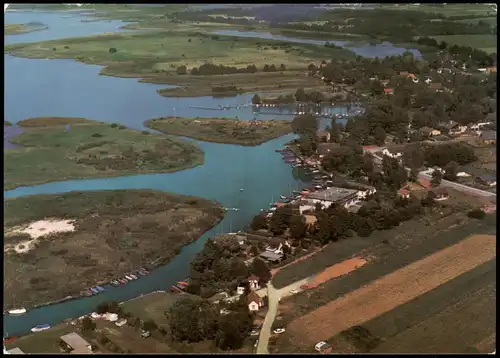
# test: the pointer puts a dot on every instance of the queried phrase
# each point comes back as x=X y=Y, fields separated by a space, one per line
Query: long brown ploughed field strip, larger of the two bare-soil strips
x=395 y=289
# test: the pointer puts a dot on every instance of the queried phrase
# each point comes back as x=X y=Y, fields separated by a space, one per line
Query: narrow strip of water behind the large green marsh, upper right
x=384 y=49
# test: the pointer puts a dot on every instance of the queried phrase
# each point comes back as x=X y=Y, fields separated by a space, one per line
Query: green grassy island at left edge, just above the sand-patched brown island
x=90 y=150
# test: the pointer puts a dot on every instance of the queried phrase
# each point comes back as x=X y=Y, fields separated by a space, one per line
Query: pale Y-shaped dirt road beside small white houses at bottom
x=274 y=297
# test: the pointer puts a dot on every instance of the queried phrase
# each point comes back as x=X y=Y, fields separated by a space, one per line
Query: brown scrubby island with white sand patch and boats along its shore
x=58 y=245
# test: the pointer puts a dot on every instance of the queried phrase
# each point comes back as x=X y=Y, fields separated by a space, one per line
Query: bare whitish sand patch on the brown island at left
x=37 y=230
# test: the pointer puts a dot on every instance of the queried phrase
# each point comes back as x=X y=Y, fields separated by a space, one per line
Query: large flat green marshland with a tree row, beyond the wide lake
x=199 y=64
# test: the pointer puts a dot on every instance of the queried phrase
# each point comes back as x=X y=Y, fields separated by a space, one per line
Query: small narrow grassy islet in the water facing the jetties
x=222 y=130
